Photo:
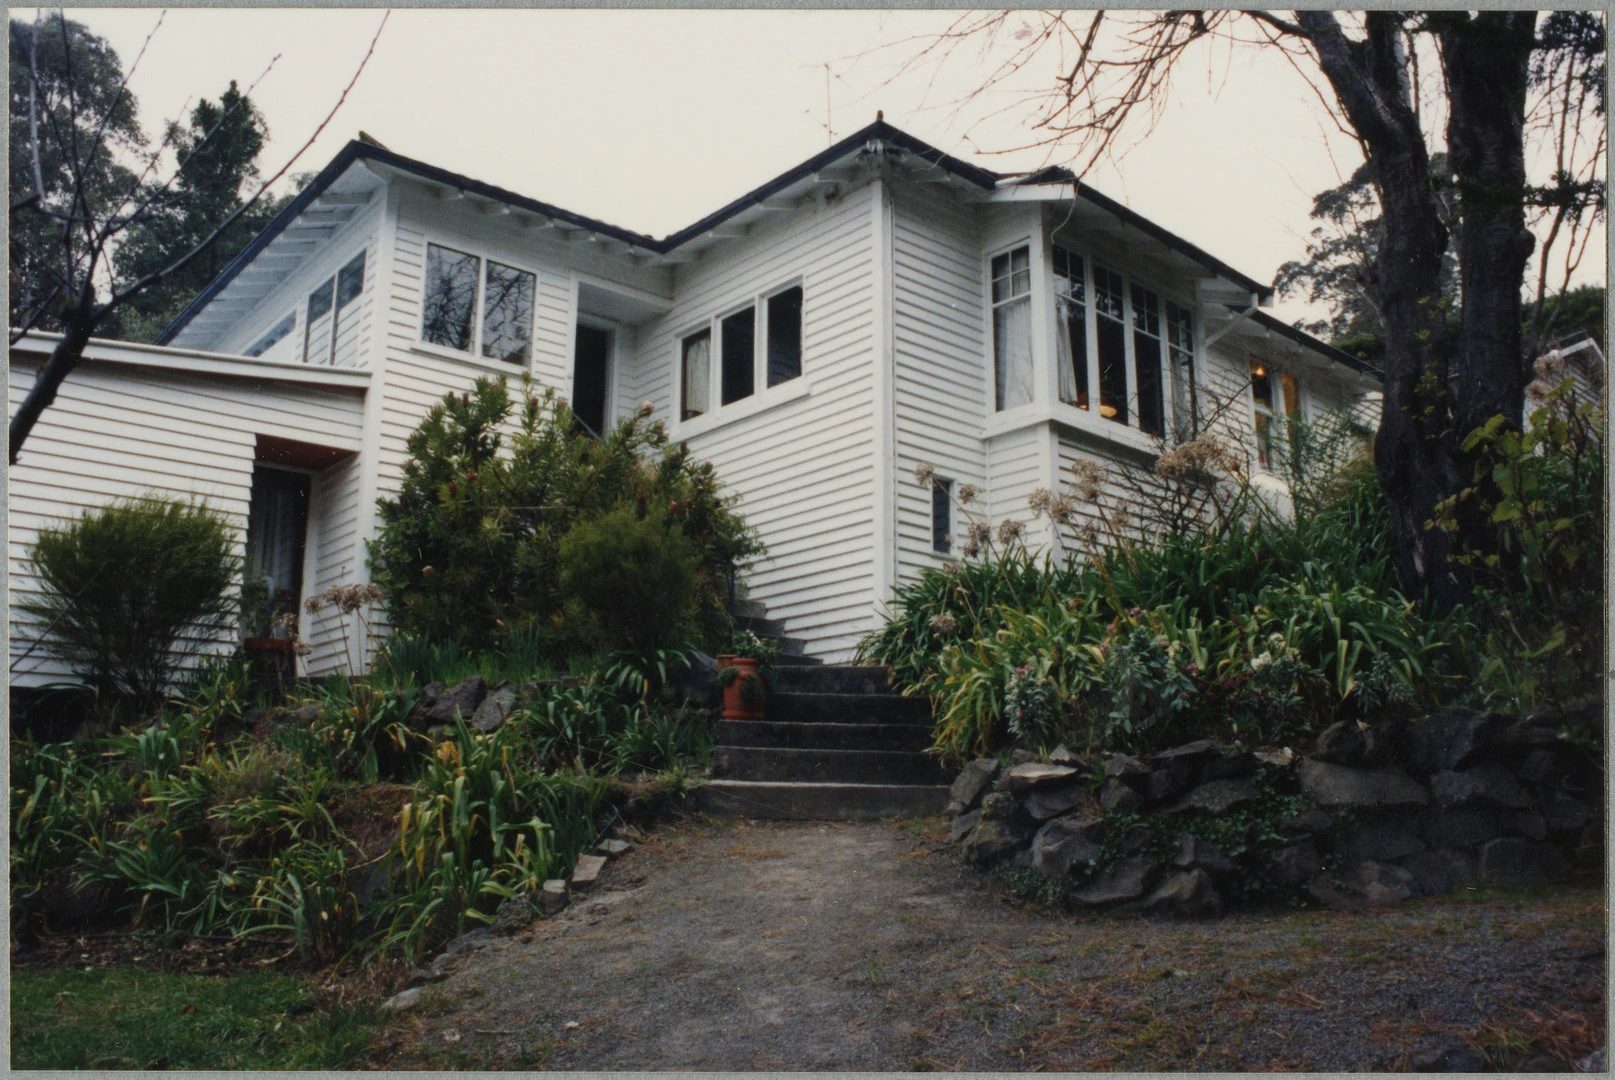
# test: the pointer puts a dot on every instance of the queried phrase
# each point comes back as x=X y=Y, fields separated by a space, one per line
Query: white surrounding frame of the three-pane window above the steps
x=763 y=396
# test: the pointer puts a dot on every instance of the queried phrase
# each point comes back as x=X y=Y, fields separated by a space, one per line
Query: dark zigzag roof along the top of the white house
x=871 y=136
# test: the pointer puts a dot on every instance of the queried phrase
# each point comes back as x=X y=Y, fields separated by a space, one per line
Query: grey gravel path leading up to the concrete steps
x=866 y=947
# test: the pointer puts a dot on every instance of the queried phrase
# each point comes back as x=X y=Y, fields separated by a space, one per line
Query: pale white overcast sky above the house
x=652 y=120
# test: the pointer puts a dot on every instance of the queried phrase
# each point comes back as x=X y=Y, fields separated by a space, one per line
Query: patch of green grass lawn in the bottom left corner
x=127 y=1018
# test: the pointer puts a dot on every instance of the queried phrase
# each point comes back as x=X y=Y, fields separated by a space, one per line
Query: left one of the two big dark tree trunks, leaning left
x=1414 y=450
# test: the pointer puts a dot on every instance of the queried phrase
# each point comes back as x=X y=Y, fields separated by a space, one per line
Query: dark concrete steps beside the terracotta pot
x=836 y=745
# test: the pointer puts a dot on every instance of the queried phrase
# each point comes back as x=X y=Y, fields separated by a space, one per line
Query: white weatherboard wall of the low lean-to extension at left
x=120 y=432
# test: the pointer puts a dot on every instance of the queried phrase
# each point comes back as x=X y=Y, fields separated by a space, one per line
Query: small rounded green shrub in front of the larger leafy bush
x=632 y=574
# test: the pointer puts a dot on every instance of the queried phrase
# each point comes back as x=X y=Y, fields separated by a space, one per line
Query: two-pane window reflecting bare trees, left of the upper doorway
x=500 y=327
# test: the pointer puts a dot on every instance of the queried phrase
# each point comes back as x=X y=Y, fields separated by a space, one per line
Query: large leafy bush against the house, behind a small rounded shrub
x=472 y=543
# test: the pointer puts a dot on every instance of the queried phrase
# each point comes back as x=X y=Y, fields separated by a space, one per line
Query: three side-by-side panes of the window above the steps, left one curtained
x=749 y=356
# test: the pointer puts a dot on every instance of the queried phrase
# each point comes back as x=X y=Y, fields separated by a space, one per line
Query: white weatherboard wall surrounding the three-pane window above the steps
x=803 y=469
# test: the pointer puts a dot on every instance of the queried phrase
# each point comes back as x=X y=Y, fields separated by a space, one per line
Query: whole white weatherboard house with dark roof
x=876 y=308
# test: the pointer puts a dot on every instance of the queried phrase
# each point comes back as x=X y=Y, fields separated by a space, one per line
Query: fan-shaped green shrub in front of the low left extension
x=133 y=590
